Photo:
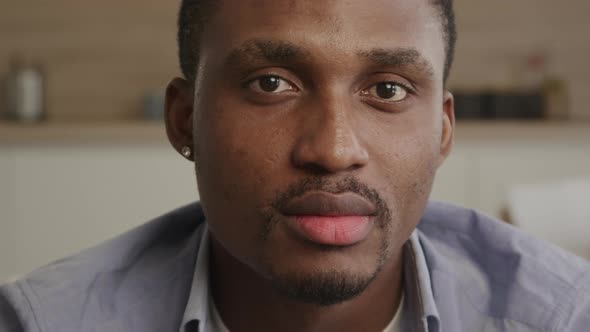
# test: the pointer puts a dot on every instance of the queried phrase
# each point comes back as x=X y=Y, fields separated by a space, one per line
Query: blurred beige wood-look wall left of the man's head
x=100 y=56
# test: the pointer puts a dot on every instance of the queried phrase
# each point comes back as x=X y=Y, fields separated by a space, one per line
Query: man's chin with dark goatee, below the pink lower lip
x=324 y=275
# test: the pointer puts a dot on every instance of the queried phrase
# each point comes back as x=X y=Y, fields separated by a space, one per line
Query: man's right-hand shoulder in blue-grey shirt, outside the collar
x=502 y=273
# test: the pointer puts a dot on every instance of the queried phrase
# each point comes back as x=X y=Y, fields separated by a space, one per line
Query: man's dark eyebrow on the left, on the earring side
x=271 y=50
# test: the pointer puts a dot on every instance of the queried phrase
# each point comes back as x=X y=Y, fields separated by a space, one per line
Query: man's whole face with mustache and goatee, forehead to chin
x=318 y=128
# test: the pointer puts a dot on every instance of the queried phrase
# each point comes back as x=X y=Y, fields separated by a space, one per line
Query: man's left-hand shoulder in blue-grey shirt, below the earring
x=125 y=275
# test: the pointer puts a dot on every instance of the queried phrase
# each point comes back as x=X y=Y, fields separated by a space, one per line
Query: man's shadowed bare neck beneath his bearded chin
x=248 y=302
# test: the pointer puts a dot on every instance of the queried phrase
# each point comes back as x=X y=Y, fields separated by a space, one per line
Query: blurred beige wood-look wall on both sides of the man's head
x=102 y=55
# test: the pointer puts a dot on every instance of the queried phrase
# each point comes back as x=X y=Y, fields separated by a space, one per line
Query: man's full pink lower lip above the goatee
x=336 y=231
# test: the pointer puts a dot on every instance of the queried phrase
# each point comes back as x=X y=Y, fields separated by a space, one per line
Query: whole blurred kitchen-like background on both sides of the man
x=84 y=157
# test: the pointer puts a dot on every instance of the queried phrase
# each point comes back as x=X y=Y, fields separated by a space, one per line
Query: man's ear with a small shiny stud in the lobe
x=179 y=114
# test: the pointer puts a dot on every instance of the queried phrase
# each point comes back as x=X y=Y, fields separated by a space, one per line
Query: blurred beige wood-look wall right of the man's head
x=495 y=37
